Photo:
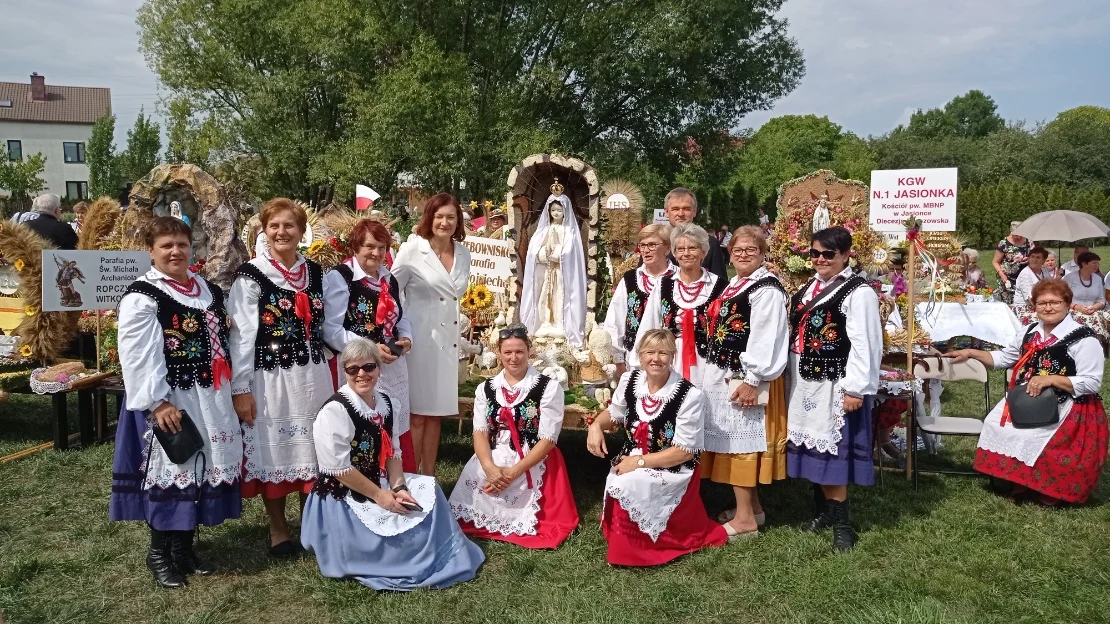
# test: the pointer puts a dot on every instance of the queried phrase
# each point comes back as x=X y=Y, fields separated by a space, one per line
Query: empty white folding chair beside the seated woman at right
x=944 y=369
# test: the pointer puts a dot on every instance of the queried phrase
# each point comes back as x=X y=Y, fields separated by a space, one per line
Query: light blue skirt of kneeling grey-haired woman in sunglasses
x=433 y=555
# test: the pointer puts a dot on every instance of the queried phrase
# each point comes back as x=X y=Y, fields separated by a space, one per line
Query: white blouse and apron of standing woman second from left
x=278 y=448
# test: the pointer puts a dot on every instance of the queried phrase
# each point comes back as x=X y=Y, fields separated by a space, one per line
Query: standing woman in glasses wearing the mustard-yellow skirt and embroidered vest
x=749 y=345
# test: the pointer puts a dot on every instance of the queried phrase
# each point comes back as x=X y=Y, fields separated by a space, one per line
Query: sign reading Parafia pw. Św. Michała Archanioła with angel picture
x=88 y=280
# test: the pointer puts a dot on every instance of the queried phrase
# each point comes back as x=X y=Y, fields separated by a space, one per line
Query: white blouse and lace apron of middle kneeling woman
x=513 y=511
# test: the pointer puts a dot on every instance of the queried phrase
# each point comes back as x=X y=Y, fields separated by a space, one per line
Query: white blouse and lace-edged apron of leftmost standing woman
x=142 y=343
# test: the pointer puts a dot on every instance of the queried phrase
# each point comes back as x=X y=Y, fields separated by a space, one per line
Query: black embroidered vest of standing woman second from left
x=281 y=340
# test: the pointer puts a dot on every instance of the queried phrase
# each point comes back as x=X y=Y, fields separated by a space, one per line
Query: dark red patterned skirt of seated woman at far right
x=1069 y=467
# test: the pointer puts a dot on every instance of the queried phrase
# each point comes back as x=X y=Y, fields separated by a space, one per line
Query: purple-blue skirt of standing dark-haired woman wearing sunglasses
x=853 y=462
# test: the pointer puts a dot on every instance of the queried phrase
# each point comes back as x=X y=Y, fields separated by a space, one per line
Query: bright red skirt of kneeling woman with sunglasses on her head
x=558 y=518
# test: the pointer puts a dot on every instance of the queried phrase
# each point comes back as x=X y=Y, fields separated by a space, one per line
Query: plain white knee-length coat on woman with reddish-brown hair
x=431 y=297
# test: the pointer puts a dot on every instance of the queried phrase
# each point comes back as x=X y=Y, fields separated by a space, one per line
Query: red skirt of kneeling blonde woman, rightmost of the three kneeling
x=689 y=530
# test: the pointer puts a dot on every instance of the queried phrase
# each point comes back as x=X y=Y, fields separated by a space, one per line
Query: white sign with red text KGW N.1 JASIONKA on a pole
x=926 y=194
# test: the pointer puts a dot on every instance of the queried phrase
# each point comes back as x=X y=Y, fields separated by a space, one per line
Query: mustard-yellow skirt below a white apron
x=748 y=470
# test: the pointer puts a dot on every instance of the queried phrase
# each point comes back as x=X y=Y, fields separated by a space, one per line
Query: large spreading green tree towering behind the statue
x=314 y=87
